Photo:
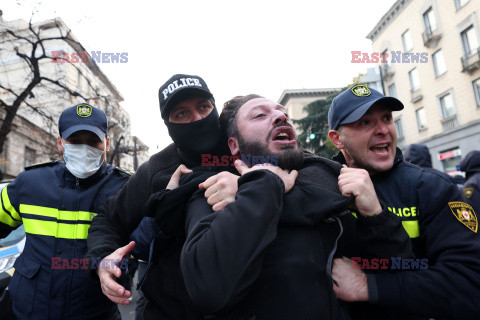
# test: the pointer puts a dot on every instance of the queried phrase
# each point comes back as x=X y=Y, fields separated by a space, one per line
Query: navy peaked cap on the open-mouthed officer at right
x=350 y=105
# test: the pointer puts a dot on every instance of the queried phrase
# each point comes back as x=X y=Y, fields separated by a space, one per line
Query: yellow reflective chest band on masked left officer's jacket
x=56 y=223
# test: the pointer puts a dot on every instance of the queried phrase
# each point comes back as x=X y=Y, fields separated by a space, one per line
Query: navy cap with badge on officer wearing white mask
x=82 y=117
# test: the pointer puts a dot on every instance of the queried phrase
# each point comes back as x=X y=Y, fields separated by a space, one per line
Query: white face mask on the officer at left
x=82 y=160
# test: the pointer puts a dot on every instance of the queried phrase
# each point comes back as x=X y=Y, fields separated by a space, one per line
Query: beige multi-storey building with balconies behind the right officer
x=432 y=64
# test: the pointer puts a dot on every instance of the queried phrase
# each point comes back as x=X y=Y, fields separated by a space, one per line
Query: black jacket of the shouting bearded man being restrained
x=265 y=256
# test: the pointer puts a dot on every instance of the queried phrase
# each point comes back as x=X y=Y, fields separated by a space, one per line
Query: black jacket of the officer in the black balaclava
x=121 y=215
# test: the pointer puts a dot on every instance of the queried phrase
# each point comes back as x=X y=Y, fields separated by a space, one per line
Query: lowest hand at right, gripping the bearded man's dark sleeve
x=352 y=282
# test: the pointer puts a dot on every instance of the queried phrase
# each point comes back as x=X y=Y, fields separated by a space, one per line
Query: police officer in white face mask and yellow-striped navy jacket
x=56 y=202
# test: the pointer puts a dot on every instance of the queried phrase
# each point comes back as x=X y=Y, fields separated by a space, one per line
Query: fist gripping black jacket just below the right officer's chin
x=357 y=182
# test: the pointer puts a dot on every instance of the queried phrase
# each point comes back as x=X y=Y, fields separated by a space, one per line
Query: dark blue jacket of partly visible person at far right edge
x=471 y=188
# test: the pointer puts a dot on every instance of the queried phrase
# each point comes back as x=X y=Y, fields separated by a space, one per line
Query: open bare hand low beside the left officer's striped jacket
x=111 y=271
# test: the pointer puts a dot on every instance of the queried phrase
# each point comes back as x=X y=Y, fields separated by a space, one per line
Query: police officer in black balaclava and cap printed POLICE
x=188 y=110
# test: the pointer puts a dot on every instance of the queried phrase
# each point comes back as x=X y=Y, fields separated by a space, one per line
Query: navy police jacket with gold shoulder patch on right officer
x=431 y=211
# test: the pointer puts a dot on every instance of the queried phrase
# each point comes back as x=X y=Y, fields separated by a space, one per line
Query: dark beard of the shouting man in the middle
x=289 y=158
